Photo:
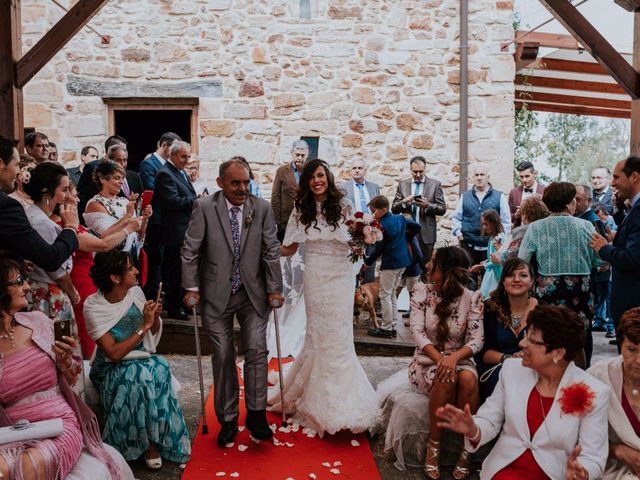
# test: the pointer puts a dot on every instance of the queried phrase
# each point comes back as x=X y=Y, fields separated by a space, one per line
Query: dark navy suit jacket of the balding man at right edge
x=624 y=257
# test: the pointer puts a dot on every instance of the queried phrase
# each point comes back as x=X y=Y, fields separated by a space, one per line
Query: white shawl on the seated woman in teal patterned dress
x=101 y=316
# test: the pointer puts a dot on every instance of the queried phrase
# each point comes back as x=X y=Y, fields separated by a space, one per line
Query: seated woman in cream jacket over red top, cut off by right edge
x=622 y=375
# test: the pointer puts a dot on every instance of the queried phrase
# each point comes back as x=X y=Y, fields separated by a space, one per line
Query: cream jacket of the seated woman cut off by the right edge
x=609 y=371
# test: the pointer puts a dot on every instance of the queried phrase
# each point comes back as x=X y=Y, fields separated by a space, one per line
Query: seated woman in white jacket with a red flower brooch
x=548 y=414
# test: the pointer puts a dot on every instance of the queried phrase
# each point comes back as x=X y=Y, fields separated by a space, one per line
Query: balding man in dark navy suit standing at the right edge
x=624 y=253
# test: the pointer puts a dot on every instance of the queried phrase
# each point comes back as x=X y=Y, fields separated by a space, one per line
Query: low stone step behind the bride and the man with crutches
x=178 y=338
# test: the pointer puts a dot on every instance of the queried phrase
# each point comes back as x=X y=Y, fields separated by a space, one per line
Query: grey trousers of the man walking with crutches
x=254 y=341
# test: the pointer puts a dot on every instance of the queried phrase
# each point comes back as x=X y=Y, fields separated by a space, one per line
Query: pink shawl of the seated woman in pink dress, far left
x=41 y=327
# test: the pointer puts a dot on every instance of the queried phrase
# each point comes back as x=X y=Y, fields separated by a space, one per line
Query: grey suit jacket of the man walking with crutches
x=207 y=253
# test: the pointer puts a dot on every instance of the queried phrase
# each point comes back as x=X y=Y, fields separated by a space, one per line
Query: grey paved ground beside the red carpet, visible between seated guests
x=377 y=368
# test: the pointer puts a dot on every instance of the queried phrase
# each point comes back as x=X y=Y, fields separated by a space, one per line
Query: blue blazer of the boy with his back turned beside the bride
x=394 y=247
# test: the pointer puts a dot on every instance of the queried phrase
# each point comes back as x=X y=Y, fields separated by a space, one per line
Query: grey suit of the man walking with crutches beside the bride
x=207 y=262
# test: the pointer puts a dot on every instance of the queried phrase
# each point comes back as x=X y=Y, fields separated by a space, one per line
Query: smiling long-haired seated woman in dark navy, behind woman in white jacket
x=505 y=322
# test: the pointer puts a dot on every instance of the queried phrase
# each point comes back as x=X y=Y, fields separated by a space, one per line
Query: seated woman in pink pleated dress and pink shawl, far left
x=35 y=373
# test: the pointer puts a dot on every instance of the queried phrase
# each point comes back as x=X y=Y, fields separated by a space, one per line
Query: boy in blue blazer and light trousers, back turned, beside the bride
x=397 y=232
